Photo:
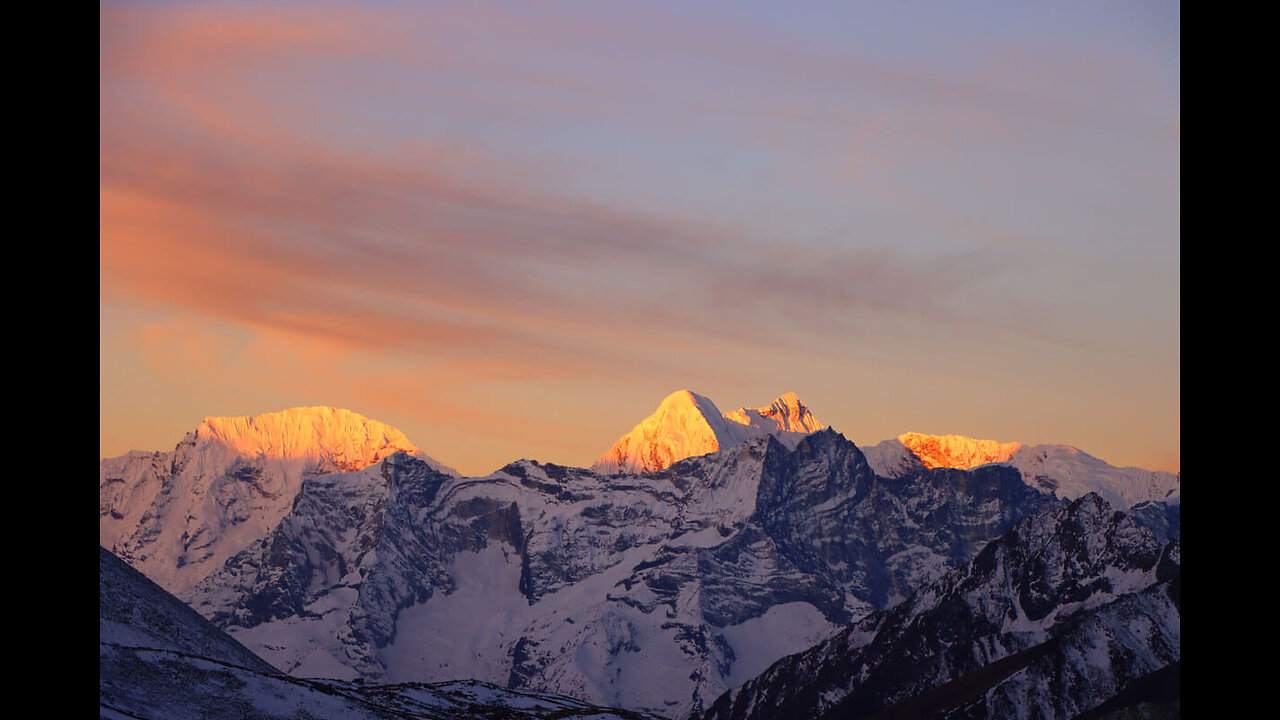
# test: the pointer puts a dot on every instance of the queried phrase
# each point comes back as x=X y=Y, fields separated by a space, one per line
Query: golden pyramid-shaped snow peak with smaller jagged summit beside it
x=688 y=425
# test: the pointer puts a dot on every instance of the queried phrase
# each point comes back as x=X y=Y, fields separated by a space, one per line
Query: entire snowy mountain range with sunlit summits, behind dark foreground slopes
x=701 y=550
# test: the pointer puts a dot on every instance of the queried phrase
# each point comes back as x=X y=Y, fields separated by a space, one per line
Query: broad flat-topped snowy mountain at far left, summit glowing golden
x=179 y=516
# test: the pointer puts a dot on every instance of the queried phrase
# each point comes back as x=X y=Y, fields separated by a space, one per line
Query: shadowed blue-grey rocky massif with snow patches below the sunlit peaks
x=655 y=593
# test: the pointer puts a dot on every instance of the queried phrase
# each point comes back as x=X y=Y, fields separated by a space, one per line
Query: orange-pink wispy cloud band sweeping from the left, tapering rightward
x=435 y=248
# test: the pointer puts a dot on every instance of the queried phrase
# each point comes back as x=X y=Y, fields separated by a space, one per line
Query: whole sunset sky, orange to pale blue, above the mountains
x=510 y=230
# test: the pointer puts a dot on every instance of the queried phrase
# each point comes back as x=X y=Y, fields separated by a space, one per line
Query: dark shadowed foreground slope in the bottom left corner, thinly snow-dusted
x=158 y=659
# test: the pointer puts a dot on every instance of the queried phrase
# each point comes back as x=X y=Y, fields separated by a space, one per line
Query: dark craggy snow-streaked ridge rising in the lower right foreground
x=1072 y=607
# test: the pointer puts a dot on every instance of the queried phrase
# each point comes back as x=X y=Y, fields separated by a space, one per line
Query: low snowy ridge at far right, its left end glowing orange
x=1060 y=470
